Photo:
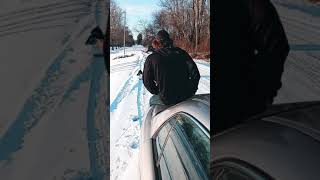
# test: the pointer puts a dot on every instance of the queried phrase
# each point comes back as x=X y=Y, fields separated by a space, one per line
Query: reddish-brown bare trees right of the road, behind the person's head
x=187 y=21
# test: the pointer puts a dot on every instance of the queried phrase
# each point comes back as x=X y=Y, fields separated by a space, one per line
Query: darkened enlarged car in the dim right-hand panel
x=282 y=143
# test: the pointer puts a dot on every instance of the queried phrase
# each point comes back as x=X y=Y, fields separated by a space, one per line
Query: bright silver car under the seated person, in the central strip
x=175 y=141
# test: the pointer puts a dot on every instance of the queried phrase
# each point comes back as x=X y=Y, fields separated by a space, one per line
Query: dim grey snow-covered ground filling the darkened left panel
x=53 y=120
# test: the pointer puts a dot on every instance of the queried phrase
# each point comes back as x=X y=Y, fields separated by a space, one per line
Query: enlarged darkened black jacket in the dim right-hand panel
x=249 y=51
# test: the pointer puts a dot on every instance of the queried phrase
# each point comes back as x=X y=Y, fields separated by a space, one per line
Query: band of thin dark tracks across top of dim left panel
x=40 y=18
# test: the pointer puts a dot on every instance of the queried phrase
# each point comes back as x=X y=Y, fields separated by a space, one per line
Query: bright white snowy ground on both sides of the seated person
x=129 y=101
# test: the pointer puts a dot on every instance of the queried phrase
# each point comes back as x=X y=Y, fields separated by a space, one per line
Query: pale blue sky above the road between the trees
x=138 y=9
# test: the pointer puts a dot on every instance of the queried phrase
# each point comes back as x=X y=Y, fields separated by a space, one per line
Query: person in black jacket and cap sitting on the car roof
x=169 y=73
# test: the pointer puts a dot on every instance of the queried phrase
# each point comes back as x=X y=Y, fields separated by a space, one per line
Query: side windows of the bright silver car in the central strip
x=183 y=149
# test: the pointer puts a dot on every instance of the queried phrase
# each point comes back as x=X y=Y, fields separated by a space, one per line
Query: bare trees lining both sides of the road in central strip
x=187 y=21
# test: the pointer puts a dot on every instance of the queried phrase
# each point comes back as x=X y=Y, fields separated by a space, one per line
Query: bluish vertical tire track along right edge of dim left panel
x=98 y=168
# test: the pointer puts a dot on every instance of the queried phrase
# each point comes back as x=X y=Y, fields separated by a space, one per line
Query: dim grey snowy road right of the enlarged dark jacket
x=301 y=78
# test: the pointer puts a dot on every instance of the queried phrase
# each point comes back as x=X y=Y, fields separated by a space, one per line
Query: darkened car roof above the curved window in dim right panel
x=283 y=147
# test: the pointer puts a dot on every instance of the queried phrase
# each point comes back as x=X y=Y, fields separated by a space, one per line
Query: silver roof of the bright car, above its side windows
x=198 y=106
